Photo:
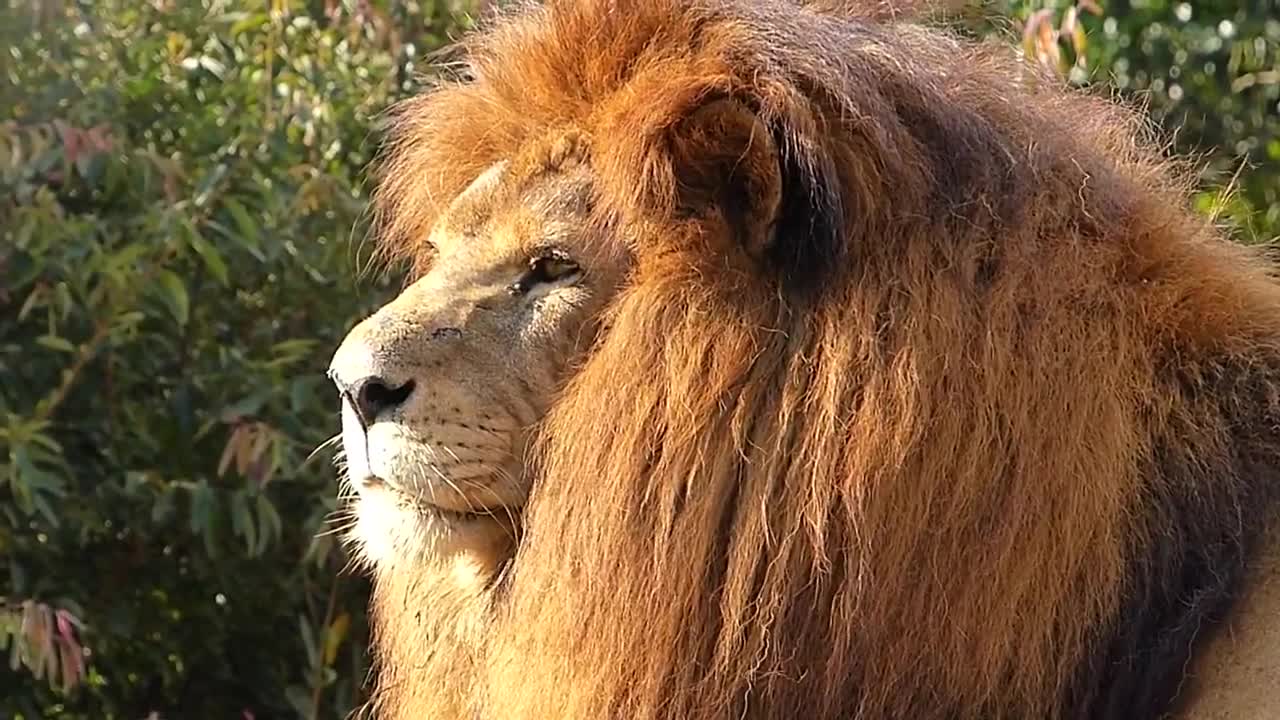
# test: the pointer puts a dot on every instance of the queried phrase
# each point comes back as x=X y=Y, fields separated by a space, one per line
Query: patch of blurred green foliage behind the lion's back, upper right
x=1208 y=71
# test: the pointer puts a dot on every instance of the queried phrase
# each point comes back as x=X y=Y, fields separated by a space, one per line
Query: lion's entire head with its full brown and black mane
x=776 y=362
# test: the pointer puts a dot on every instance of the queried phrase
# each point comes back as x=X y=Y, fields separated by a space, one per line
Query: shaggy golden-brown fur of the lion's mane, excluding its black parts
x=909 y=486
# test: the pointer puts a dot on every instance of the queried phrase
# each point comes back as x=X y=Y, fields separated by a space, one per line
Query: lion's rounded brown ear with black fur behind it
x=779 y=203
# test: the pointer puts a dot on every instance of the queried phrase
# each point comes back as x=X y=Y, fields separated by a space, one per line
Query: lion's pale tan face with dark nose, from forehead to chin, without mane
x=442 y=386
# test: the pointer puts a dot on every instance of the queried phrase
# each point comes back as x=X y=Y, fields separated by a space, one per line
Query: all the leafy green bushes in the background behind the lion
x=180 y=253
